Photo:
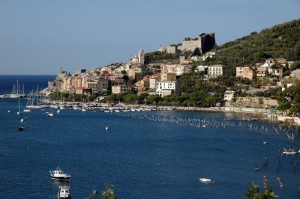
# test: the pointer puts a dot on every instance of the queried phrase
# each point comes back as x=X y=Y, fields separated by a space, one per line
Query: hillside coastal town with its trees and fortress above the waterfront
x=184 y=77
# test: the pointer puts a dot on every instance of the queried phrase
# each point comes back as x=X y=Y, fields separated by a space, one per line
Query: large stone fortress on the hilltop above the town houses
x=204 y=43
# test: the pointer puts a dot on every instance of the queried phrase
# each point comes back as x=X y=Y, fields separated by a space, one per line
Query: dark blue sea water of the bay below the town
x=147 y=155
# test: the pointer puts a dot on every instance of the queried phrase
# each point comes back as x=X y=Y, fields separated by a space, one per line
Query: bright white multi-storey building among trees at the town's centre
x=164 y=88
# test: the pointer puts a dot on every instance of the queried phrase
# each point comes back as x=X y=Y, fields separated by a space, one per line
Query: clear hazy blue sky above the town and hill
x=40 y=36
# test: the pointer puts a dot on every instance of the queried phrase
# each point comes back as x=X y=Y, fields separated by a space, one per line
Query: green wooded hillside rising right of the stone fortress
x=279 y=41
